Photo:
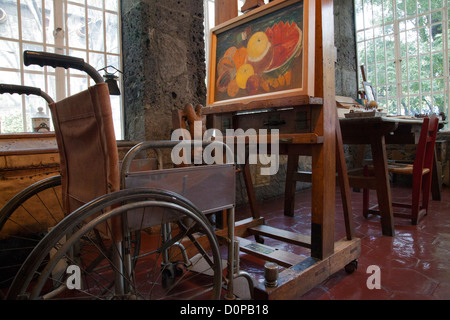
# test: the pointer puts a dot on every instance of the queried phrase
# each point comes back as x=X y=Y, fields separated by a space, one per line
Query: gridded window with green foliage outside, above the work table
x=403 y=45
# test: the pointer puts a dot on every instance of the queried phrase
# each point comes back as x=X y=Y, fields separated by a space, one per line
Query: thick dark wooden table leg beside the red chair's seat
x=382 y=185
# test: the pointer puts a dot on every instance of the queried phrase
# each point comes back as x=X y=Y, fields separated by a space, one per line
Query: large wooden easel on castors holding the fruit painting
x=324 y=144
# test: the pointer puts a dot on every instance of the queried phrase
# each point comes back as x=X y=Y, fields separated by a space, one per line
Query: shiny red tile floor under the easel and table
x=414 y=264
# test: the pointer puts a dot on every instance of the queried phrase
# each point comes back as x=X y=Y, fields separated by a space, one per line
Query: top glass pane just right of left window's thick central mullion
x=76 y=25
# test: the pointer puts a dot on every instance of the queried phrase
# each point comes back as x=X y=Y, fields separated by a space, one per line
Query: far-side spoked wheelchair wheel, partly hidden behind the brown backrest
x=24 y=220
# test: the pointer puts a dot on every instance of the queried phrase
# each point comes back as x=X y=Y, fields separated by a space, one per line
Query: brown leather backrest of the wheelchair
x=87 y=146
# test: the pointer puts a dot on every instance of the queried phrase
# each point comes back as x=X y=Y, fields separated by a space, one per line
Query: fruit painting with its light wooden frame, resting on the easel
x=261 y=54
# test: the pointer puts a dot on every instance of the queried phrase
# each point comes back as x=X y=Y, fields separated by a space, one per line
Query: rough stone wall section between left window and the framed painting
x=164 y=63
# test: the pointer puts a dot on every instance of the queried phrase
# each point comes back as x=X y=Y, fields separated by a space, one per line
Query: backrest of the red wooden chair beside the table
x=425 y=147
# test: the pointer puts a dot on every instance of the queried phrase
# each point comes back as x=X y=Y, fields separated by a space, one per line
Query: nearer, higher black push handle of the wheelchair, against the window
x=58 y=60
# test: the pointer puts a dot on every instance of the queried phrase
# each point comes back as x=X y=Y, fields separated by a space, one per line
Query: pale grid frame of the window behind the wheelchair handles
x=58 y=81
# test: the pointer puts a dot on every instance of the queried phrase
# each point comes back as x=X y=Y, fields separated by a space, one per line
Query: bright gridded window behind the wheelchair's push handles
x=89 y=29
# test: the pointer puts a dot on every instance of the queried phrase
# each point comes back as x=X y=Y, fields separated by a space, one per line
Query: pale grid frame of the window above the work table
x=401 y=63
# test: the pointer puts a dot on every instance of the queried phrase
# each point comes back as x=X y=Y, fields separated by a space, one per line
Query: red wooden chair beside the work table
x=420 y=170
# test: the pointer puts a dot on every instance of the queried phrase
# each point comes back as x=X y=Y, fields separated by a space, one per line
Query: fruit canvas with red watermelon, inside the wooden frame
x=261 y=56
